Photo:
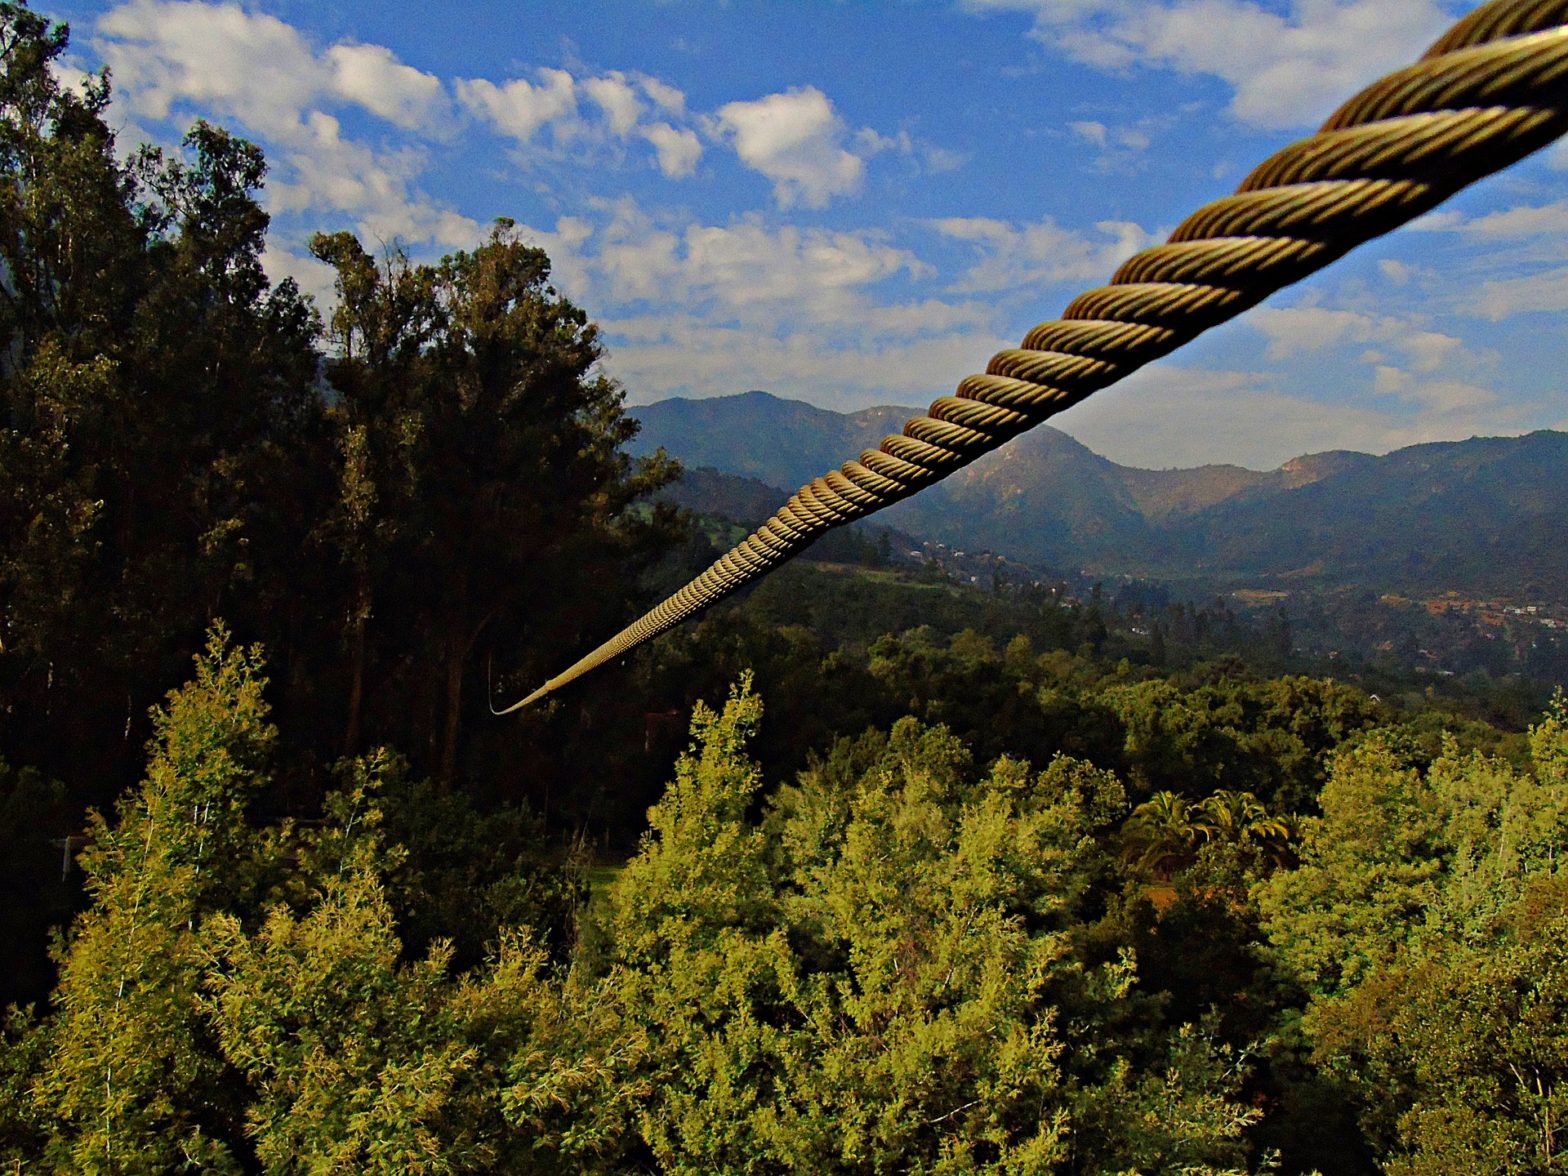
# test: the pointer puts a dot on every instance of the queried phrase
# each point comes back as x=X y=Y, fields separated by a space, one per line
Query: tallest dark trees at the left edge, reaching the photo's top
x=158 y=413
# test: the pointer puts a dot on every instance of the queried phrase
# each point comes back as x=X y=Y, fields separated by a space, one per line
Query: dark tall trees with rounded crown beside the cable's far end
x=485 y=488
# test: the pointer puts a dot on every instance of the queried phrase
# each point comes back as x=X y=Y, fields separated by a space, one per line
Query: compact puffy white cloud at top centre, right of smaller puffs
x=796 y=140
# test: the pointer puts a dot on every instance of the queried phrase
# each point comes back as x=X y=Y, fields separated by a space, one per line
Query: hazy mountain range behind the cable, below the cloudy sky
x=1486 y=517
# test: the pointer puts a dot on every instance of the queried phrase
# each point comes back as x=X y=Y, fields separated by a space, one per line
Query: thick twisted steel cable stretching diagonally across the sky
x=1487 y=95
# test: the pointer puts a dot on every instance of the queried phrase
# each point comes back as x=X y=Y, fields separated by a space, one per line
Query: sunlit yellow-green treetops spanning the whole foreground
x=899 y=962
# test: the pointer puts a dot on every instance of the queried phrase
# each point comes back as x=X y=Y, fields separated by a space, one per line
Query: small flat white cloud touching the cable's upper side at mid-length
x=1017 y=256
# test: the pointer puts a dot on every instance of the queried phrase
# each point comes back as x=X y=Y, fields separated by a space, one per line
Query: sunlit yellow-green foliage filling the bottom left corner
x=238 y=995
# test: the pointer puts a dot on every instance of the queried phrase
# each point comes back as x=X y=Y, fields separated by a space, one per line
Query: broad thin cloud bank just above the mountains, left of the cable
x=805 y=313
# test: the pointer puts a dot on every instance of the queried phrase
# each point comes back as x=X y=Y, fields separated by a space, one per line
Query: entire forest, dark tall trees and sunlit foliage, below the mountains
x=938 y=879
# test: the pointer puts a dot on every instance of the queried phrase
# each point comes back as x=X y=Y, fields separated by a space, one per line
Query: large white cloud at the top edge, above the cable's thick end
x=1287 y=70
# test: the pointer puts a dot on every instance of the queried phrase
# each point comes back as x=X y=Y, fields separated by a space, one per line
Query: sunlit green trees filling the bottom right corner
x=1426 y=924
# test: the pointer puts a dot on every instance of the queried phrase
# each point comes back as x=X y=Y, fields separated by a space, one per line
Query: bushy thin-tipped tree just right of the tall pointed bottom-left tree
x=354 y=1058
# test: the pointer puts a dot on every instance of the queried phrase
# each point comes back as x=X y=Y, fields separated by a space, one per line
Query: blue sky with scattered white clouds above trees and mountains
x=858 y=203
